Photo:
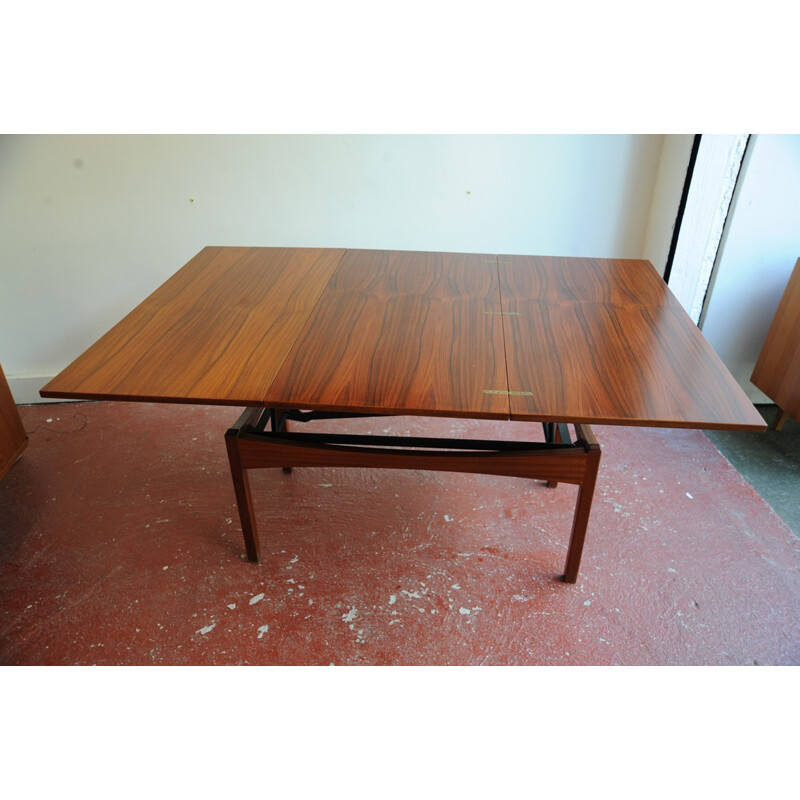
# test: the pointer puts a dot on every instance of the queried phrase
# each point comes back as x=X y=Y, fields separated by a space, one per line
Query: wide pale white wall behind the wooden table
x=90 y=225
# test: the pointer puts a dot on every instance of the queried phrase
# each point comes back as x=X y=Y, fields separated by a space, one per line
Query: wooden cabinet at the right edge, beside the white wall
x=777 y=371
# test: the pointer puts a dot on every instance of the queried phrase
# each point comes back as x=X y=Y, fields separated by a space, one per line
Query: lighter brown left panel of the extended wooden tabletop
x=216 y=332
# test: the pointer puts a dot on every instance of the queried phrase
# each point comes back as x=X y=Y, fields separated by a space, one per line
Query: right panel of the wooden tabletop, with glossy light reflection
x=605 y=341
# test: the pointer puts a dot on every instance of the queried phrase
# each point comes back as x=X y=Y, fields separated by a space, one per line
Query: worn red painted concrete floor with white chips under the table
x=120 y=545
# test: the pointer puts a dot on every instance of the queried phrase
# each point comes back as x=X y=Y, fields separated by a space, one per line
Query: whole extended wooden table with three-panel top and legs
x=295 y=334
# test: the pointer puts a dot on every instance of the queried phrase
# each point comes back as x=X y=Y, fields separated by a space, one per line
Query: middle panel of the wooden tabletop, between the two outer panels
x=402 y=333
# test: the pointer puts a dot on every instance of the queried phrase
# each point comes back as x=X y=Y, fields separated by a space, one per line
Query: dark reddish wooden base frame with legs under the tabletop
x=261 y=439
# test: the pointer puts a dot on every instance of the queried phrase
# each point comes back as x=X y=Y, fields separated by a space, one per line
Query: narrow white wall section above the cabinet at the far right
x=759 y=249
